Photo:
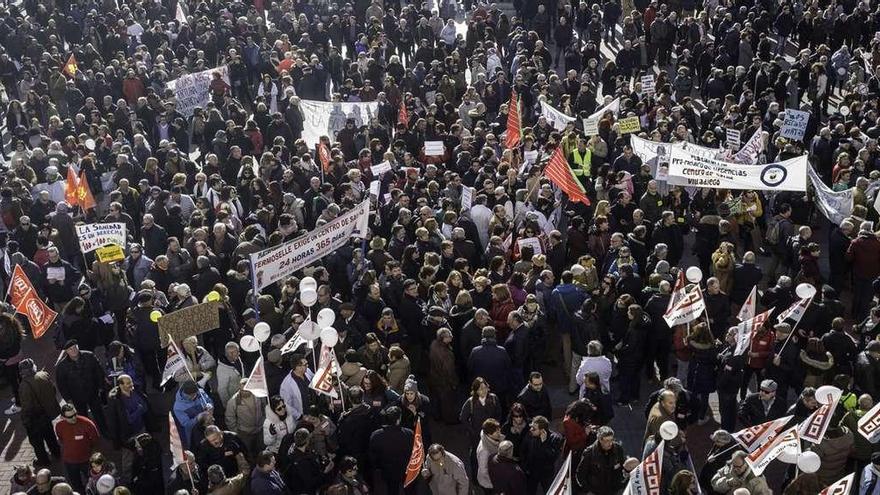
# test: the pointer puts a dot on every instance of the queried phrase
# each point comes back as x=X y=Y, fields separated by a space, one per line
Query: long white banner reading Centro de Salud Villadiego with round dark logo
x=690 y=169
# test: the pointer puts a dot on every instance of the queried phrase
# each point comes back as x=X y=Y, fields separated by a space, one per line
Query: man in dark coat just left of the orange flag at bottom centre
x=390 y=449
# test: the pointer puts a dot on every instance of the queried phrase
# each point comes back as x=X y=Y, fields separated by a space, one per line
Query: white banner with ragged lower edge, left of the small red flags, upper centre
x=324 y=118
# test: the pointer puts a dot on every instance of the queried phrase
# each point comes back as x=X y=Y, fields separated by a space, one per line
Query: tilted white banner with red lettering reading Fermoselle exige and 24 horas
x=276 y=263
